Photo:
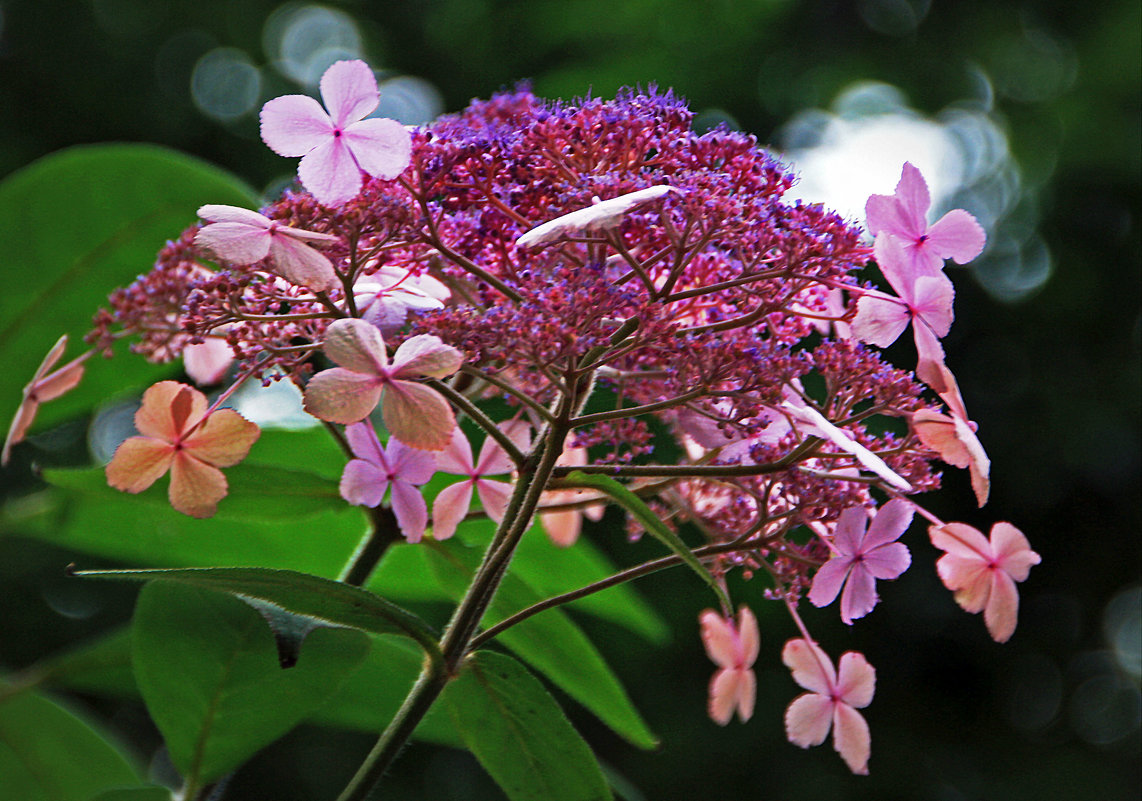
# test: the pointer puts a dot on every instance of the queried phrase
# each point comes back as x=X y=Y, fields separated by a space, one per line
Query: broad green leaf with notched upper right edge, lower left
x=208 y=671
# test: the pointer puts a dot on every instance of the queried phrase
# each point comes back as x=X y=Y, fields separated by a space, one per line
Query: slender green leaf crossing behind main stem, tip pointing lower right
x=550 y=642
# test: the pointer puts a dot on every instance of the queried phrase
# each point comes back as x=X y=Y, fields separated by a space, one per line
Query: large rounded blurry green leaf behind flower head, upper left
x=76 y=226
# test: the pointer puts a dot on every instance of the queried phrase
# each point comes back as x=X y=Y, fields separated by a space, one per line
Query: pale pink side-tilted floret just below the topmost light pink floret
x=243 y=237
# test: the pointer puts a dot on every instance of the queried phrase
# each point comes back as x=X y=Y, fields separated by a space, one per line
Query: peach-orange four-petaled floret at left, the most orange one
x=178 y=435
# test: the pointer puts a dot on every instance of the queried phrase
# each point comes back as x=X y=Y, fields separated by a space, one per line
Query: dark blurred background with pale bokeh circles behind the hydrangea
x=1025 y=114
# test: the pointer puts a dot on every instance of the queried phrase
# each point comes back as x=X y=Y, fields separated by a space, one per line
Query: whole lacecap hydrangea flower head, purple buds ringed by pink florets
x=602 y=292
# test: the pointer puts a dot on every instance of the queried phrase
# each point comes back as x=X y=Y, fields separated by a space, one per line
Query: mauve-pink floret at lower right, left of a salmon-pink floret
x=863 y=557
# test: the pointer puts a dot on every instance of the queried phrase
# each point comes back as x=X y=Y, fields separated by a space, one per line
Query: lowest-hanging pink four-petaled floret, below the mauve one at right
x=831 y=703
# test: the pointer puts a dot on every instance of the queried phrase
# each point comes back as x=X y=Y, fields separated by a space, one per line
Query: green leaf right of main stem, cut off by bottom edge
x=519 y=733
